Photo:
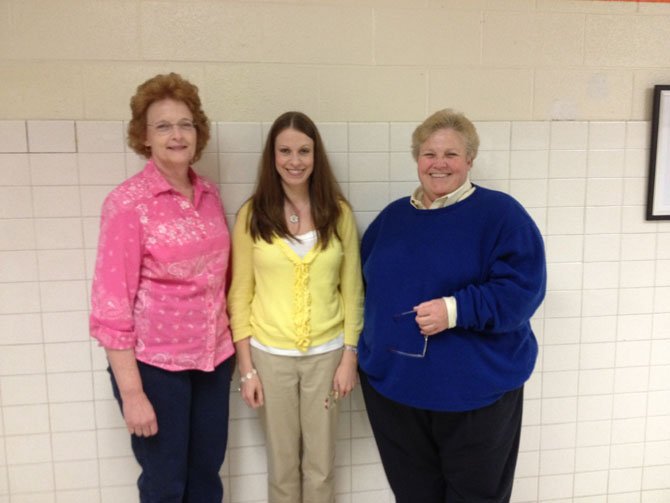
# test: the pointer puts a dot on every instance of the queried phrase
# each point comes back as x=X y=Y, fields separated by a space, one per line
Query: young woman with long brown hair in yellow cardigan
x=296 y=308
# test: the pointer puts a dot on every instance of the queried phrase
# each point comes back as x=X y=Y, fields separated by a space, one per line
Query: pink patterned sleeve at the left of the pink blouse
x=116 y=277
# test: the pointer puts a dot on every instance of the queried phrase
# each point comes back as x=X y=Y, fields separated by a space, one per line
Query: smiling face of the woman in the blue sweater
x=442 y=164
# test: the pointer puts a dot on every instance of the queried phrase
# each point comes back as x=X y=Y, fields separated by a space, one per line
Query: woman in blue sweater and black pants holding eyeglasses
x=453 y=275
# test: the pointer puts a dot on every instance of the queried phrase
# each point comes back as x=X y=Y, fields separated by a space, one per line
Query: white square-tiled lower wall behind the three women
x=597 y=414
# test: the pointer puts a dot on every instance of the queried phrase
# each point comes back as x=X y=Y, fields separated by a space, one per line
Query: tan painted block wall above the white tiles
x=354 y=60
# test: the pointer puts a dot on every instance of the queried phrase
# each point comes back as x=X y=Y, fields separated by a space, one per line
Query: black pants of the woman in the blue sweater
x=447 y=457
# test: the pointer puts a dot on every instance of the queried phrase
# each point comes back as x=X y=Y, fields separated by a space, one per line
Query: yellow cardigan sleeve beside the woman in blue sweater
x=351 y=282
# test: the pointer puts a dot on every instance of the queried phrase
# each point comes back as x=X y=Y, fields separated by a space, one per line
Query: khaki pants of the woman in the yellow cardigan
x=300 y=432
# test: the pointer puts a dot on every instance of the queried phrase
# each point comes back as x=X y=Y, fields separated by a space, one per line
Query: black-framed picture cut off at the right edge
x=658 y=188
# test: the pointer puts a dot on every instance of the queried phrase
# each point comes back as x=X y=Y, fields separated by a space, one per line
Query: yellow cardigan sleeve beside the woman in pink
x=243 y=284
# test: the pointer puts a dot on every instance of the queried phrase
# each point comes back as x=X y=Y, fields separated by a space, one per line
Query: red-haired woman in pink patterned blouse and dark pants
x=158 y=299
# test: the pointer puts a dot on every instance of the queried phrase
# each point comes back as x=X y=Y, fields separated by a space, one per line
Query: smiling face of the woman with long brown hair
x=294 y=158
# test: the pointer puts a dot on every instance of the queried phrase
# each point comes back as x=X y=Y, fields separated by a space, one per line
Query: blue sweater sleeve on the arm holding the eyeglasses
x=514 y=287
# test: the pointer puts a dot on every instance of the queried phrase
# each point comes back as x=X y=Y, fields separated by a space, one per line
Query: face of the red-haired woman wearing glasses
x=174 y=149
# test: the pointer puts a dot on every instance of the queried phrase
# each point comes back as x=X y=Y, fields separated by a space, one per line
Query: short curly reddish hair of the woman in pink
x=171 y=86
